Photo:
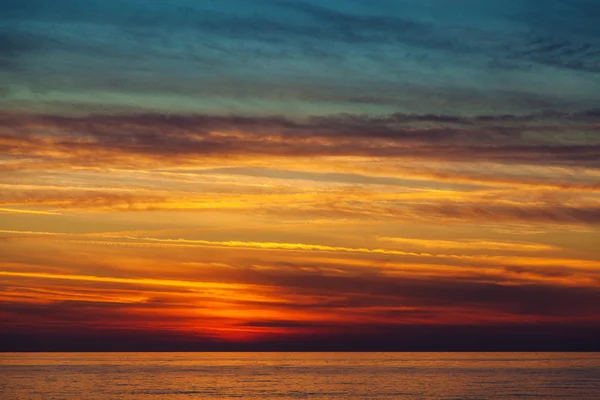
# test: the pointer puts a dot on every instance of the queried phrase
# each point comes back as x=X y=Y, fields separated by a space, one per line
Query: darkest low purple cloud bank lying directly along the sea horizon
x=518 y=337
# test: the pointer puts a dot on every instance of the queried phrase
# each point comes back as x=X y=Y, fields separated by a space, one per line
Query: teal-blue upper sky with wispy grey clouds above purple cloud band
x=299 y=58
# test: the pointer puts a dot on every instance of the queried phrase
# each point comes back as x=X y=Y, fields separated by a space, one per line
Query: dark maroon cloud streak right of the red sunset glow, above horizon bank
x=483 y=297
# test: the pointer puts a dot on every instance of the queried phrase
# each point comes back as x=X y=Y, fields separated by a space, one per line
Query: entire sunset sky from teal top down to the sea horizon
x=299 y=175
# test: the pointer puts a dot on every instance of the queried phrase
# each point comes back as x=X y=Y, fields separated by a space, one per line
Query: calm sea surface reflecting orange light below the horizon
x=140 y=376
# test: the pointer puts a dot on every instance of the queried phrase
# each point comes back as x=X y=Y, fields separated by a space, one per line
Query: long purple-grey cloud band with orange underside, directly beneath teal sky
x=398 y=136
